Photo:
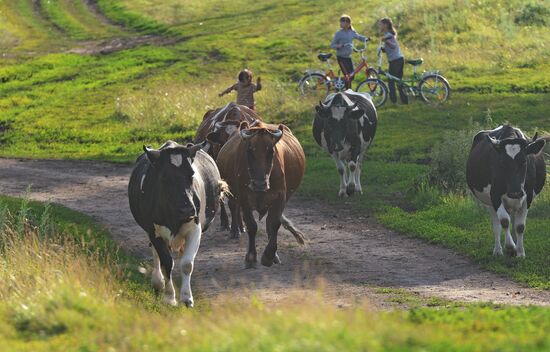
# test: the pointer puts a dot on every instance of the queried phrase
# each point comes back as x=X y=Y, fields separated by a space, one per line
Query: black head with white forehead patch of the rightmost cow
x=512 y=156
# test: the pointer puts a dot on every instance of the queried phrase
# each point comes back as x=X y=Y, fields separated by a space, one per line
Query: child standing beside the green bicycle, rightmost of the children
x=395 y=57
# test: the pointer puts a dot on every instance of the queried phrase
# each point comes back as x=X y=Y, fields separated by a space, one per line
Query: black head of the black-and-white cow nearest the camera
x=173 y=188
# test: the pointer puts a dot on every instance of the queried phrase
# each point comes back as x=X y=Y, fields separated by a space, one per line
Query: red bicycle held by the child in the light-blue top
x=317 y=82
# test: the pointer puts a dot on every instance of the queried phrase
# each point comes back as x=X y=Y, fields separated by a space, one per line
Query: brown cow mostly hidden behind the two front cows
x=223 y=122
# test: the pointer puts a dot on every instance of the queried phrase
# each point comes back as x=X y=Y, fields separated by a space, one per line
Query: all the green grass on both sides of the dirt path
x=55 y=104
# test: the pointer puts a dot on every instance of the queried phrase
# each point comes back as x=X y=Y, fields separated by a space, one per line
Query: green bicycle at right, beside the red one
x=431 y=86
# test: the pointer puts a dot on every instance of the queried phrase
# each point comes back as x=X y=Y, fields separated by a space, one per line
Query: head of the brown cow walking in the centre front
x=260 y=150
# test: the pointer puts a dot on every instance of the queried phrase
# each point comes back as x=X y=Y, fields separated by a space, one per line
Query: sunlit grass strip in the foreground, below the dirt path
x=65 y=287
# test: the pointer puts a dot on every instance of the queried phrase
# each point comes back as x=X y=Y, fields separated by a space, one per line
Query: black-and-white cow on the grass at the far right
x=505 y=171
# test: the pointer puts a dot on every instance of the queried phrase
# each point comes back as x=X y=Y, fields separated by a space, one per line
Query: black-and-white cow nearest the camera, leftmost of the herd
x=174 y=193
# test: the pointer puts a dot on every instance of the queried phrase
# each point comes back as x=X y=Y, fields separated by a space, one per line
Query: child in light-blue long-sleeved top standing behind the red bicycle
x=342 y=42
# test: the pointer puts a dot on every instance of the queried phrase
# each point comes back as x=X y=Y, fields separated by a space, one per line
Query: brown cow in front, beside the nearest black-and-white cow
x=263 y=165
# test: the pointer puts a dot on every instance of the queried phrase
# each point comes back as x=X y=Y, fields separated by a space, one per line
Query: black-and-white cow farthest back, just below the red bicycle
x=345 y=126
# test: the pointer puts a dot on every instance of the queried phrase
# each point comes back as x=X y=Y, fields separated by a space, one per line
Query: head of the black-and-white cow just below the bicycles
x=335 y=117
